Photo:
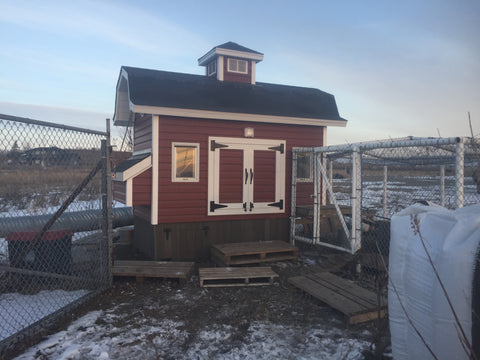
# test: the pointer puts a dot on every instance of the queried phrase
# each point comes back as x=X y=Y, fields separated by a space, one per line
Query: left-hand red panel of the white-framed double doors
x=231 y=176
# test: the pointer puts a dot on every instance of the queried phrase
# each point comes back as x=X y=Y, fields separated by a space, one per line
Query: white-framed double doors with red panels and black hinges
x=246 y=176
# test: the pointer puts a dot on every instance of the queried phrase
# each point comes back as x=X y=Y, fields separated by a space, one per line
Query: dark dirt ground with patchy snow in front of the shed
x=158 y=319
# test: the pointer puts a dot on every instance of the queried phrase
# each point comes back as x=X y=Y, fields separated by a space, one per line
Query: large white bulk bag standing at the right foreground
x=452 y=239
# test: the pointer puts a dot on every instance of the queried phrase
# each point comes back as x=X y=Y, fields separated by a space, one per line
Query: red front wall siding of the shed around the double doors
x=187 y=201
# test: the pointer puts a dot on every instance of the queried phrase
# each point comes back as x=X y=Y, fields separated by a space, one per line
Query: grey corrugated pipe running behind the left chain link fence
x=76 y=221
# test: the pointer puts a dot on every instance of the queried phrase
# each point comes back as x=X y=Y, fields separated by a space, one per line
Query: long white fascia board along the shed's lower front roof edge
x=219 y=115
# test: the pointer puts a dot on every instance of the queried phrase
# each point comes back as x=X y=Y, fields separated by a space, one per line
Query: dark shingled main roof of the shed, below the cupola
x=199 y=92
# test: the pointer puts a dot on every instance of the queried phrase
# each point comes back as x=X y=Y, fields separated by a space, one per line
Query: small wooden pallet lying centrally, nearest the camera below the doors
x=239 y=276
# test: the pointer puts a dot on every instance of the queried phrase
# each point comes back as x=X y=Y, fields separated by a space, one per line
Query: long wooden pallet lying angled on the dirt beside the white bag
x=356 y=303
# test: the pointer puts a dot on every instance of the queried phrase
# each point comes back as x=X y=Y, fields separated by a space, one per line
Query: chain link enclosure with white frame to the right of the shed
x=355 y=189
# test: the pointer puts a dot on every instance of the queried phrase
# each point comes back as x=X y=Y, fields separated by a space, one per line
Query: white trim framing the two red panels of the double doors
x=248 y=146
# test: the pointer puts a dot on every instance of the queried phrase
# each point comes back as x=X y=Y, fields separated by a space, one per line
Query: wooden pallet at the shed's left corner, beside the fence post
x=162 y=269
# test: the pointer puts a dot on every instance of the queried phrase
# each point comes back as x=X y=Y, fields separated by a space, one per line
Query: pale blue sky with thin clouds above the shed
x=396 y=68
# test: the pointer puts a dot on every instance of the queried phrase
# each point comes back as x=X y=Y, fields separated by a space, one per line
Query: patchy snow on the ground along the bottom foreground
x=85 y=338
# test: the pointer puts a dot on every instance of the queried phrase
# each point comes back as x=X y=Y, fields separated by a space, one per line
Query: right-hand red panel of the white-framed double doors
x=264 y=176
